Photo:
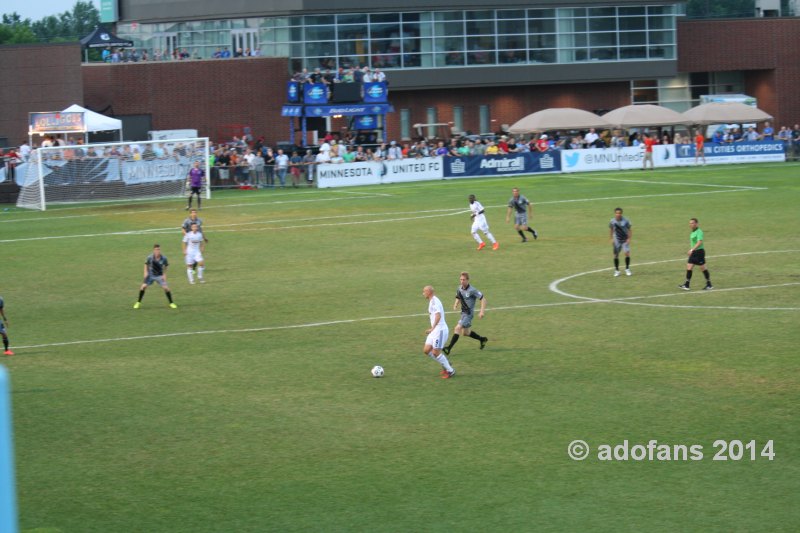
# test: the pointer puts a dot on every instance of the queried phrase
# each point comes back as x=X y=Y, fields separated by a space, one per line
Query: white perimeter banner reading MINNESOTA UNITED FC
x=376 y=172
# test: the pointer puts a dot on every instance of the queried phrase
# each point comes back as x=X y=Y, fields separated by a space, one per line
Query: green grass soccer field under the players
x=251 y=406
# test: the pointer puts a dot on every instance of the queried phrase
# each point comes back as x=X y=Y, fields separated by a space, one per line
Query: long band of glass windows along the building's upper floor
x=426 y=39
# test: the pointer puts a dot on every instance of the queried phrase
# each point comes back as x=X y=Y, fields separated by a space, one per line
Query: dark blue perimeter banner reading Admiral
x=502 y=165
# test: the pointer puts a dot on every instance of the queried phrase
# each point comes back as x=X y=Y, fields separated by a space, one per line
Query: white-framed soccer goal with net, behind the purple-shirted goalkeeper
x=112 y=171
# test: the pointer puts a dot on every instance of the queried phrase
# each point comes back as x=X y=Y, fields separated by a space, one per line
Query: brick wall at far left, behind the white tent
x=34 y=78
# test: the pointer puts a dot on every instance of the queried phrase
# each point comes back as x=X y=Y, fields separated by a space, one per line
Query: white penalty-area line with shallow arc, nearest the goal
x=442 y=213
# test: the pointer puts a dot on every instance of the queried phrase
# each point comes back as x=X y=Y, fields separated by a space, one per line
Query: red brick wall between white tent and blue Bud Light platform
x=201 y=95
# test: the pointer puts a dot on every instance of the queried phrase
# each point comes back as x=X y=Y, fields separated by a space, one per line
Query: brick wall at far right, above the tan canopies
x=766 y=49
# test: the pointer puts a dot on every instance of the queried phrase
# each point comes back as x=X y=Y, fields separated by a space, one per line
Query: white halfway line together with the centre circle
x=577 y=300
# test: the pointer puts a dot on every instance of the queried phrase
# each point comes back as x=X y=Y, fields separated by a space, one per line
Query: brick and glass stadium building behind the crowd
x=462 y=65
